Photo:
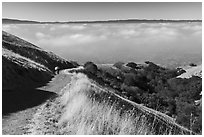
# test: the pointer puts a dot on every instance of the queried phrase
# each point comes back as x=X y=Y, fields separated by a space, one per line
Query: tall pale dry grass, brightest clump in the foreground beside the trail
x=84 y=115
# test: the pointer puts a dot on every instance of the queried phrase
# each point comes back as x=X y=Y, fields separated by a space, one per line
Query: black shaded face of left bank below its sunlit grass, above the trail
x=15 y=75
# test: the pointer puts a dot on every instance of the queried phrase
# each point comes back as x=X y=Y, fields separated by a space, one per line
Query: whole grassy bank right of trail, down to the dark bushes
x=83 y=107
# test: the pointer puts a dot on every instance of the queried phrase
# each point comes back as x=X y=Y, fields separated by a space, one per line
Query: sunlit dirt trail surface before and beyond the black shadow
x=14 y=123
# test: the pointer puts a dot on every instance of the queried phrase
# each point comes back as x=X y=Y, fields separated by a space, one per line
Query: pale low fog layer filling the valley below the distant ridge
x=163 y=43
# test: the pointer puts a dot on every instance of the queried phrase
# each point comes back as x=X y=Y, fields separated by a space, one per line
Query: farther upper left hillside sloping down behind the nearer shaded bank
x=28 y=50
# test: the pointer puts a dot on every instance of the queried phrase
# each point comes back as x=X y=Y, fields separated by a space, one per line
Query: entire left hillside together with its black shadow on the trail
x=24 y=68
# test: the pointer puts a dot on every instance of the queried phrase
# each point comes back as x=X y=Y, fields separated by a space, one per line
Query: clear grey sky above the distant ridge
x=67 y=11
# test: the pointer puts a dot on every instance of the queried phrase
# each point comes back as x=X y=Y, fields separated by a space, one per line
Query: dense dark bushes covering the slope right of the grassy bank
x=157 y=88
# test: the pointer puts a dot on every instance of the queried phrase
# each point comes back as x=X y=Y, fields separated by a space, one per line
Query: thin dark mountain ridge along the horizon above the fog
x=17 y=21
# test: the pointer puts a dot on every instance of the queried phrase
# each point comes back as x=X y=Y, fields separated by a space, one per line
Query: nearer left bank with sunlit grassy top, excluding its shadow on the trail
x=19 y=71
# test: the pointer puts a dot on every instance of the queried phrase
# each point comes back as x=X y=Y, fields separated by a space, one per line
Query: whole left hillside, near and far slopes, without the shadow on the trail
x=24 y=64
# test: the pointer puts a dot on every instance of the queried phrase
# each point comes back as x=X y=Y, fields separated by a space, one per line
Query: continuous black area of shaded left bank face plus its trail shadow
x=19 y=87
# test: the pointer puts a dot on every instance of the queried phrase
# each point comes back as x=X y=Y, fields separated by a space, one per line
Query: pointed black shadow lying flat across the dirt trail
x=21 y=99
